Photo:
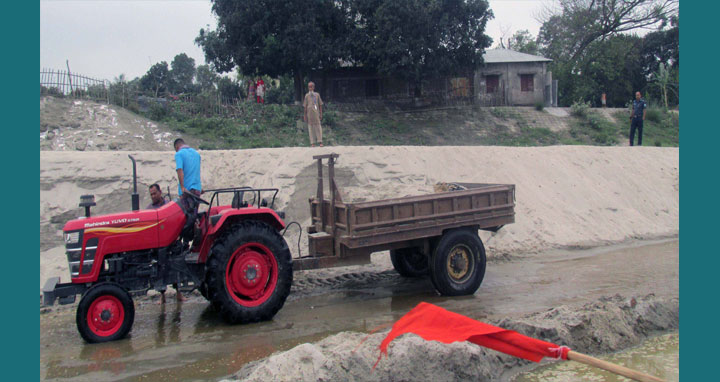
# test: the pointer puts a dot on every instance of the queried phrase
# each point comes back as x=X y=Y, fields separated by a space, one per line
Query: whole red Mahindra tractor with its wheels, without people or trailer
x=233 y=254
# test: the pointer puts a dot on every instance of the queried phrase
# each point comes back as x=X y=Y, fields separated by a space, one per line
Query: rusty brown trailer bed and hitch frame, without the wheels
x=347 y=233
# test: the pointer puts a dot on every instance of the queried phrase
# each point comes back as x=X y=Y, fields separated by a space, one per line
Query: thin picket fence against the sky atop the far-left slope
x=64 y=83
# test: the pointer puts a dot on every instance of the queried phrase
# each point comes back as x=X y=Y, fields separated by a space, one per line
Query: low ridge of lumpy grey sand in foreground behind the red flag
x=601 y=326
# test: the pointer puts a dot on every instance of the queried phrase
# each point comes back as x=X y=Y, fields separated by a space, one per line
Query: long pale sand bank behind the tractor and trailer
x=566 y=195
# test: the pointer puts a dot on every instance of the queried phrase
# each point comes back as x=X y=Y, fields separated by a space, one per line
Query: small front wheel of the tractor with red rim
x=106 y=313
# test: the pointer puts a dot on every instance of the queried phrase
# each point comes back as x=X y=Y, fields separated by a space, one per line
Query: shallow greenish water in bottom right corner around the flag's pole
x=658 y=356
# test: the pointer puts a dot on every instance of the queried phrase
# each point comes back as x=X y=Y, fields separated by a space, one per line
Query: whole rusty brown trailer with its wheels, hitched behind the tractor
x=435 y=234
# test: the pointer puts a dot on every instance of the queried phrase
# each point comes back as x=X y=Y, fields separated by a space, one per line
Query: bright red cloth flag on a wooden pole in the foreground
x=434 y=323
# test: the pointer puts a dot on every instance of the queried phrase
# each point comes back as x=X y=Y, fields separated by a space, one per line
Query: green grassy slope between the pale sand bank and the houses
x=274 y=125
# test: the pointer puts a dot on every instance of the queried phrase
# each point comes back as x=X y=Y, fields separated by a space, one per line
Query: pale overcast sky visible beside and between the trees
x=103 y=39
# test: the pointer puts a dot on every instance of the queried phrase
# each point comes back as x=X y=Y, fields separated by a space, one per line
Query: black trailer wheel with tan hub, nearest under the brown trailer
x=458 y=263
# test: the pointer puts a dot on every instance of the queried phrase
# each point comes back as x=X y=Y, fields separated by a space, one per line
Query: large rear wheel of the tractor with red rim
x=249 y=273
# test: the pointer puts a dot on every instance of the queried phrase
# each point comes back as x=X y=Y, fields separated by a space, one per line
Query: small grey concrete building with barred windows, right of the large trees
x=512 y=78
